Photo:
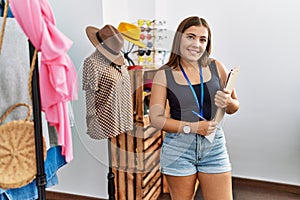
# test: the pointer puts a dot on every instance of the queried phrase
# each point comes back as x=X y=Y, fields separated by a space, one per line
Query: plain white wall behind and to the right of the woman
x=263 y=38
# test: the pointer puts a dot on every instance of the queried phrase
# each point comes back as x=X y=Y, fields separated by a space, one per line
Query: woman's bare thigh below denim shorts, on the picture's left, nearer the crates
x=182 y=187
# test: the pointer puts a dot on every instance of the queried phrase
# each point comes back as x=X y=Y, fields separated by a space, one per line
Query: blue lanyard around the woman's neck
x=200 y=106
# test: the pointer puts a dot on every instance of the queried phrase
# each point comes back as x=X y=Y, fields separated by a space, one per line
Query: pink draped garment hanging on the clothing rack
x=57 y=74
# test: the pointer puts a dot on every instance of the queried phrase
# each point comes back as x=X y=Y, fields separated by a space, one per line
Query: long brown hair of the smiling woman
x=175 y=52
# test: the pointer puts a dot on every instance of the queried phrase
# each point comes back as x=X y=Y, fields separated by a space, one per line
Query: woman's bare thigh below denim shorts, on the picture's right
x=216 y=186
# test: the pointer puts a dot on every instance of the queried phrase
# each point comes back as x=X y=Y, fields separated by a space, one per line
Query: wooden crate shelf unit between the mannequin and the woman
x=135 y=155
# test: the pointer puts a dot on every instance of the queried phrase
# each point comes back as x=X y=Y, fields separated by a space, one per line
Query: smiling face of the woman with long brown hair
x=193 y=43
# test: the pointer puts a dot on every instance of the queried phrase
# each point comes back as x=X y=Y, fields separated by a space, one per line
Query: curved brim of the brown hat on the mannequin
x=91 y=32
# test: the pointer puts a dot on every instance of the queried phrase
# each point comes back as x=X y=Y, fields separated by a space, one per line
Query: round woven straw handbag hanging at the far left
x=17 y=150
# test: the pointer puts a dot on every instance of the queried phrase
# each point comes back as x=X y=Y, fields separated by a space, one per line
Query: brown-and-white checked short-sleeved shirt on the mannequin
x=108 y=97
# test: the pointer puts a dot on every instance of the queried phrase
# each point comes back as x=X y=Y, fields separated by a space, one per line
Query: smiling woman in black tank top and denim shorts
x=192 y=84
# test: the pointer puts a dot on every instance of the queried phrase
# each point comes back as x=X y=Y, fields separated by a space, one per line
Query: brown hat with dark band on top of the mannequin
x=108 y=41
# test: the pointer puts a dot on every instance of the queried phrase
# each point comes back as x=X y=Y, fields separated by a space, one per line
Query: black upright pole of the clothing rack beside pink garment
x=36 y=104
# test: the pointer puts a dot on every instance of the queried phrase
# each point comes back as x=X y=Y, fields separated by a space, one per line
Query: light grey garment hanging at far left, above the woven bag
x=14 y=70
